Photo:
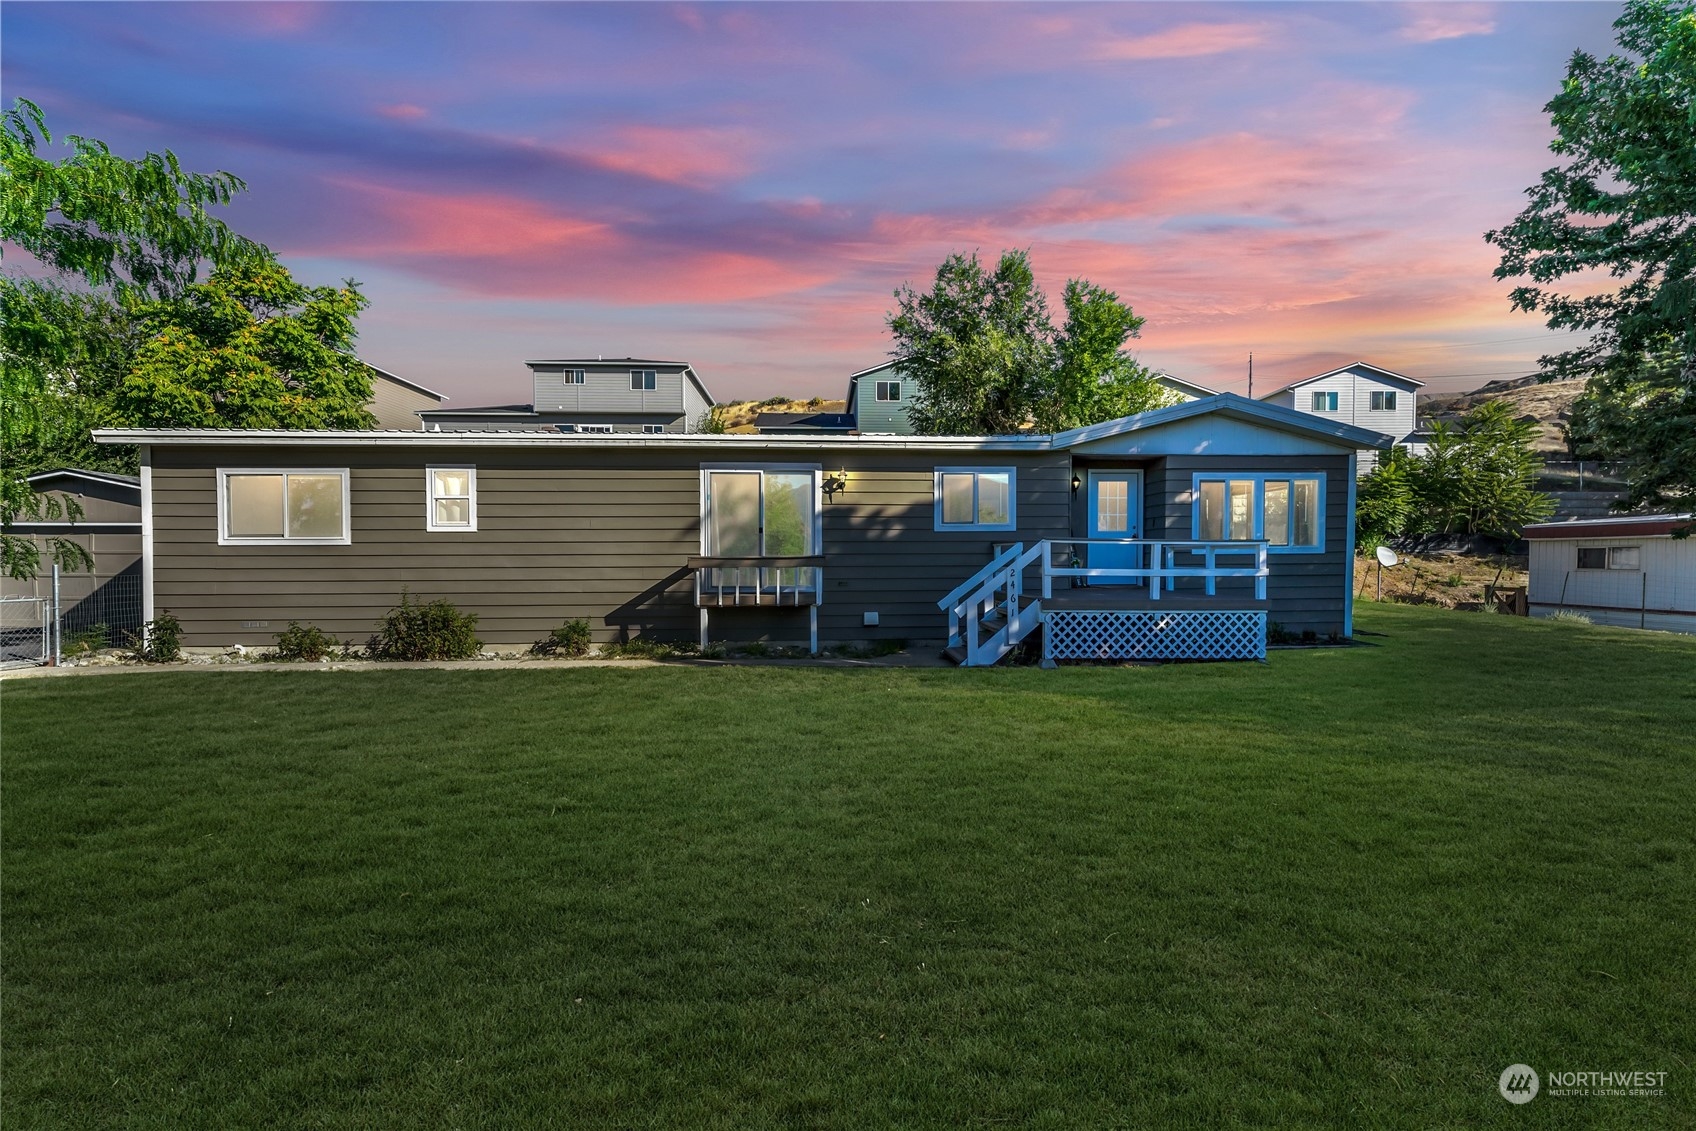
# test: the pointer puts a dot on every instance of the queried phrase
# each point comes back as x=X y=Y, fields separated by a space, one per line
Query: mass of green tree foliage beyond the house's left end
x=113 y=292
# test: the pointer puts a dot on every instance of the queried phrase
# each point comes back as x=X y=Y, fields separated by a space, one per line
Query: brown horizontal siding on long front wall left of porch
x=600 y=535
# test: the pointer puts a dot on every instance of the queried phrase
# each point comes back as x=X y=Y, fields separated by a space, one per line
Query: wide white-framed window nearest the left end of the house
x=282 y=508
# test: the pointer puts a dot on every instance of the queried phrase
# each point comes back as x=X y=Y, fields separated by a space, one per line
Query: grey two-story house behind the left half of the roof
x=593 y=396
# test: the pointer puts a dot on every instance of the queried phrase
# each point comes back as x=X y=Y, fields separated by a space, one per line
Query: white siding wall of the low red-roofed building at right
x=1668 y=579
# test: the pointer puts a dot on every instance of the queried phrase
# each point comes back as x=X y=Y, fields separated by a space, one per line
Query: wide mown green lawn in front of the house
x=1342 y=889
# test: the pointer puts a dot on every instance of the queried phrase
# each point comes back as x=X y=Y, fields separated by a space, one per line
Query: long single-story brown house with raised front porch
x=1176 y=532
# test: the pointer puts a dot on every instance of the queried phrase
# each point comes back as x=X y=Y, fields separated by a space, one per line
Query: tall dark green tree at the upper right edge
x=1624 y=206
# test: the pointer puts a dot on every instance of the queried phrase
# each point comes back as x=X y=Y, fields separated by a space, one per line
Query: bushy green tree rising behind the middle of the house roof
x=986 y=359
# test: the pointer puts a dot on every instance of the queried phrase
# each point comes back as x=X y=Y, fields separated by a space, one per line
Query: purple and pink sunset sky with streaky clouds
x=744 y=186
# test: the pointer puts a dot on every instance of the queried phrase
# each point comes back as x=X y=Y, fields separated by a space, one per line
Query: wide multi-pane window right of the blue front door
x=1285 y=511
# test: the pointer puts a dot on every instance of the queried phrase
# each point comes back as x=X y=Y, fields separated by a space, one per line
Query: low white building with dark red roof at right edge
x=1626 y=571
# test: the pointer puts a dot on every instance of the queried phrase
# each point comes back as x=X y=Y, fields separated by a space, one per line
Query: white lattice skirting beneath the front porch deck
x=1158 y=635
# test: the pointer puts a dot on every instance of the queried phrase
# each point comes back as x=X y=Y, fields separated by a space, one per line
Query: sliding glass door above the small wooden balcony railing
x=756 y=513
